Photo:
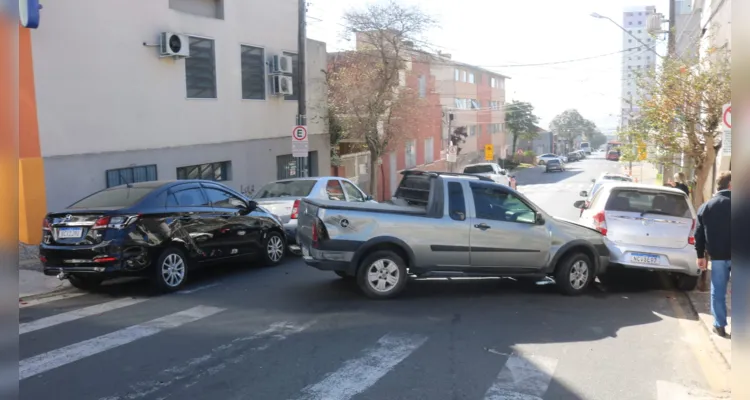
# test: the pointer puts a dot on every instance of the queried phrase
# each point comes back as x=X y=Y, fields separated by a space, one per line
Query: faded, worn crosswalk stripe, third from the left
x=211 y=363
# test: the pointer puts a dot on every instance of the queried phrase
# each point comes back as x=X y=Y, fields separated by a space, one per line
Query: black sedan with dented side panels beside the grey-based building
x=156 y=229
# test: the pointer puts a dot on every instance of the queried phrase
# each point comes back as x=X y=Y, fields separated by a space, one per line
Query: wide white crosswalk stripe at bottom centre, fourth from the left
x=358 y=374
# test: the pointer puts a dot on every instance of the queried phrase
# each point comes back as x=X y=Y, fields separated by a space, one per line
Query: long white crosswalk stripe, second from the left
x=66 y=355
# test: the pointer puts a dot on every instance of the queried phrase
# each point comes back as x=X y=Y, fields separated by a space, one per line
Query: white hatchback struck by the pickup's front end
x=646 y=227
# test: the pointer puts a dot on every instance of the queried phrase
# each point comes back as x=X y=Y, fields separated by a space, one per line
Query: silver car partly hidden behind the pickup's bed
x=282 y=198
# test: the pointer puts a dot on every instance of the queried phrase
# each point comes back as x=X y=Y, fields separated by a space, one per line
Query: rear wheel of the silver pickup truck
x=377 y=267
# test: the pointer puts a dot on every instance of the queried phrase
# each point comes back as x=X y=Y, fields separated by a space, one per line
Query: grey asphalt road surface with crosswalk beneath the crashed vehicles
x=292 y=332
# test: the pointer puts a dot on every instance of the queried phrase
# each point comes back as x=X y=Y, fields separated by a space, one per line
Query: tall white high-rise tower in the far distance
x=638 y=57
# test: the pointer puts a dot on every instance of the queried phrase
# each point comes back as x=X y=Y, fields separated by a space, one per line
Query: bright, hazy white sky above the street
x=494 y=33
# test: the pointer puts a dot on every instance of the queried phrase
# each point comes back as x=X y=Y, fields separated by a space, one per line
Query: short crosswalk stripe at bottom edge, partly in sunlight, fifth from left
x=522 y=378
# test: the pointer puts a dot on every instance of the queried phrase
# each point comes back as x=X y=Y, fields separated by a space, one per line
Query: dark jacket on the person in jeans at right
x=713 y=232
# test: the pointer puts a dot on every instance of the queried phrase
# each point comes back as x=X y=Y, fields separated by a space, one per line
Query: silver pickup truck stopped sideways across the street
x=442 y=224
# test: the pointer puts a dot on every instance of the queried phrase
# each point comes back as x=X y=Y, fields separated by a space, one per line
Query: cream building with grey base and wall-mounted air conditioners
x=104 y=108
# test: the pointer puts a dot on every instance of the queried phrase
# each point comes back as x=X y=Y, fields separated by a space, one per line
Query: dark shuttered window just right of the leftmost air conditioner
x=200 y=69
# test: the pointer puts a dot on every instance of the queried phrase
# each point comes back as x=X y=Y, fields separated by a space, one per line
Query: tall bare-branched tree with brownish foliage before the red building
x=367 y=94
